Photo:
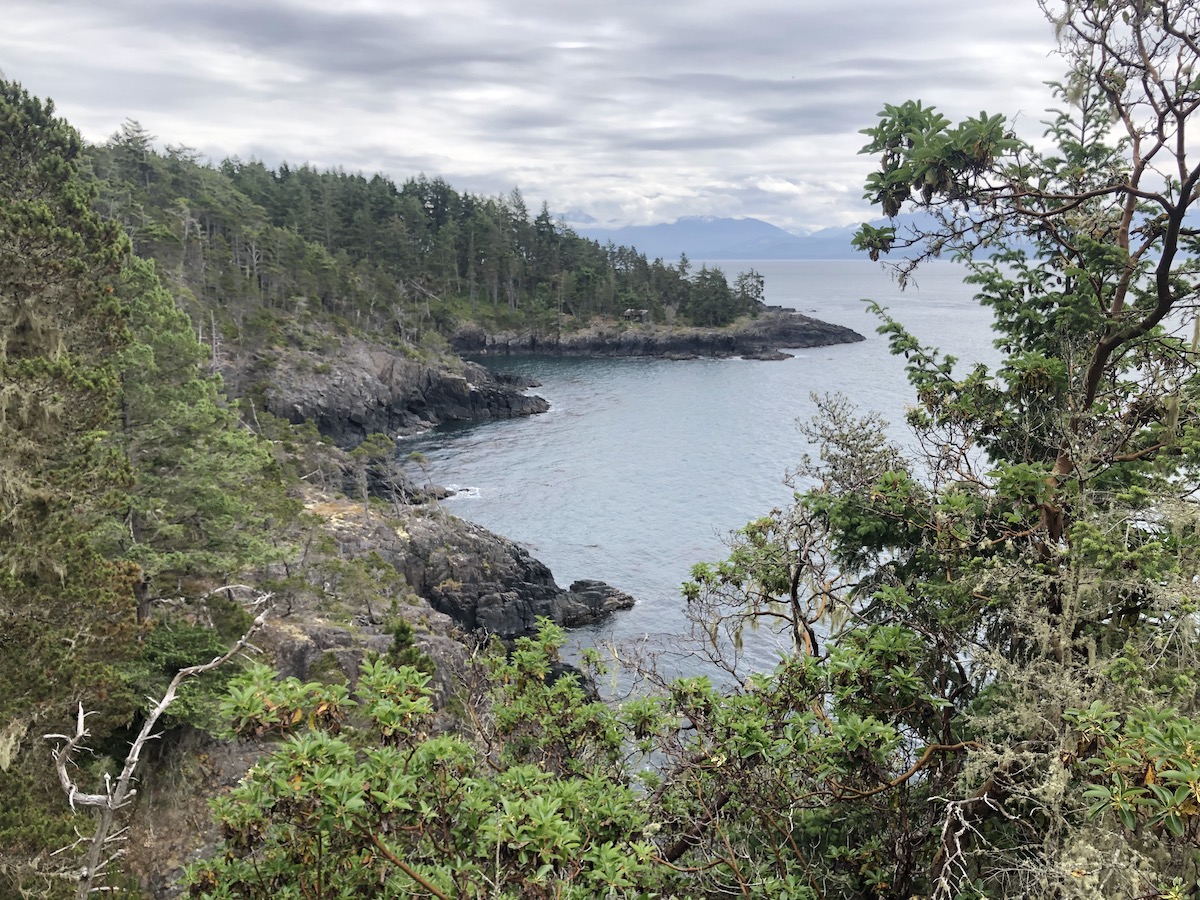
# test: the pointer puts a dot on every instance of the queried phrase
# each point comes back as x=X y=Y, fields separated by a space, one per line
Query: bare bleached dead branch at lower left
x=104 y=844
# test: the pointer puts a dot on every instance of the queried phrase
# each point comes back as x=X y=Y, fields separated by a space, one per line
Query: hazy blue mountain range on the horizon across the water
x=710 y=238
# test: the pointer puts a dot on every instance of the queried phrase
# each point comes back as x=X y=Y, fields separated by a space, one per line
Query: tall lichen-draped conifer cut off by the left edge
x=65 y=613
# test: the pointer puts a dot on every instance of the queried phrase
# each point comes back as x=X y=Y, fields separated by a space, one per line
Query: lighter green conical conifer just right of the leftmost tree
x=205 y=489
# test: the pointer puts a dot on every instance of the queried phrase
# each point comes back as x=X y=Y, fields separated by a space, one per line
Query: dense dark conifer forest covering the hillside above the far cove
x=263 y=253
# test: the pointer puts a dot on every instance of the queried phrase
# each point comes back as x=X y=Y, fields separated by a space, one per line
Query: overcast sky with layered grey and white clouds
x=632 y=111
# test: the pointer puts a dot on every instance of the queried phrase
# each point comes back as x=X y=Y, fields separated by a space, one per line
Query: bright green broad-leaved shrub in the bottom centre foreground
x=362 y=799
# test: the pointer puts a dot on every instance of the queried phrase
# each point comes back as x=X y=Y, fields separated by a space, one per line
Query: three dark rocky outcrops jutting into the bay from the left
x=483 y=583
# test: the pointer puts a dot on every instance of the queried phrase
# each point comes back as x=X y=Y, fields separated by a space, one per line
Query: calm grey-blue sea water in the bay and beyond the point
x=643 y=467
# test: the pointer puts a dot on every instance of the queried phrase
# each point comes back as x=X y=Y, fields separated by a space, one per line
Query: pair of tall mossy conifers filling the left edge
x=125 y=475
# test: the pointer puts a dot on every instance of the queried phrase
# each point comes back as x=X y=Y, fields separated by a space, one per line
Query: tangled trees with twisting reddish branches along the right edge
x=1033 y=566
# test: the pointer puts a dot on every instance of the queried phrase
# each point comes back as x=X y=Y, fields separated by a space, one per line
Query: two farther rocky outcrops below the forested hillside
x=359 y=388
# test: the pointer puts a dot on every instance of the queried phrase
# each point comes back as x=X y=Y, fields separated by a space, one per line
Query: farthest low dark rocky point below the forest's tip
x=759 y=338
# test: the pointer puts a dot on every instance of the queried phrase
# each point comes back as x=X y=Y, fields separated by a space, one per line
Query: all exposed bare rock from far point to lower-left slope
x=464 y=584
